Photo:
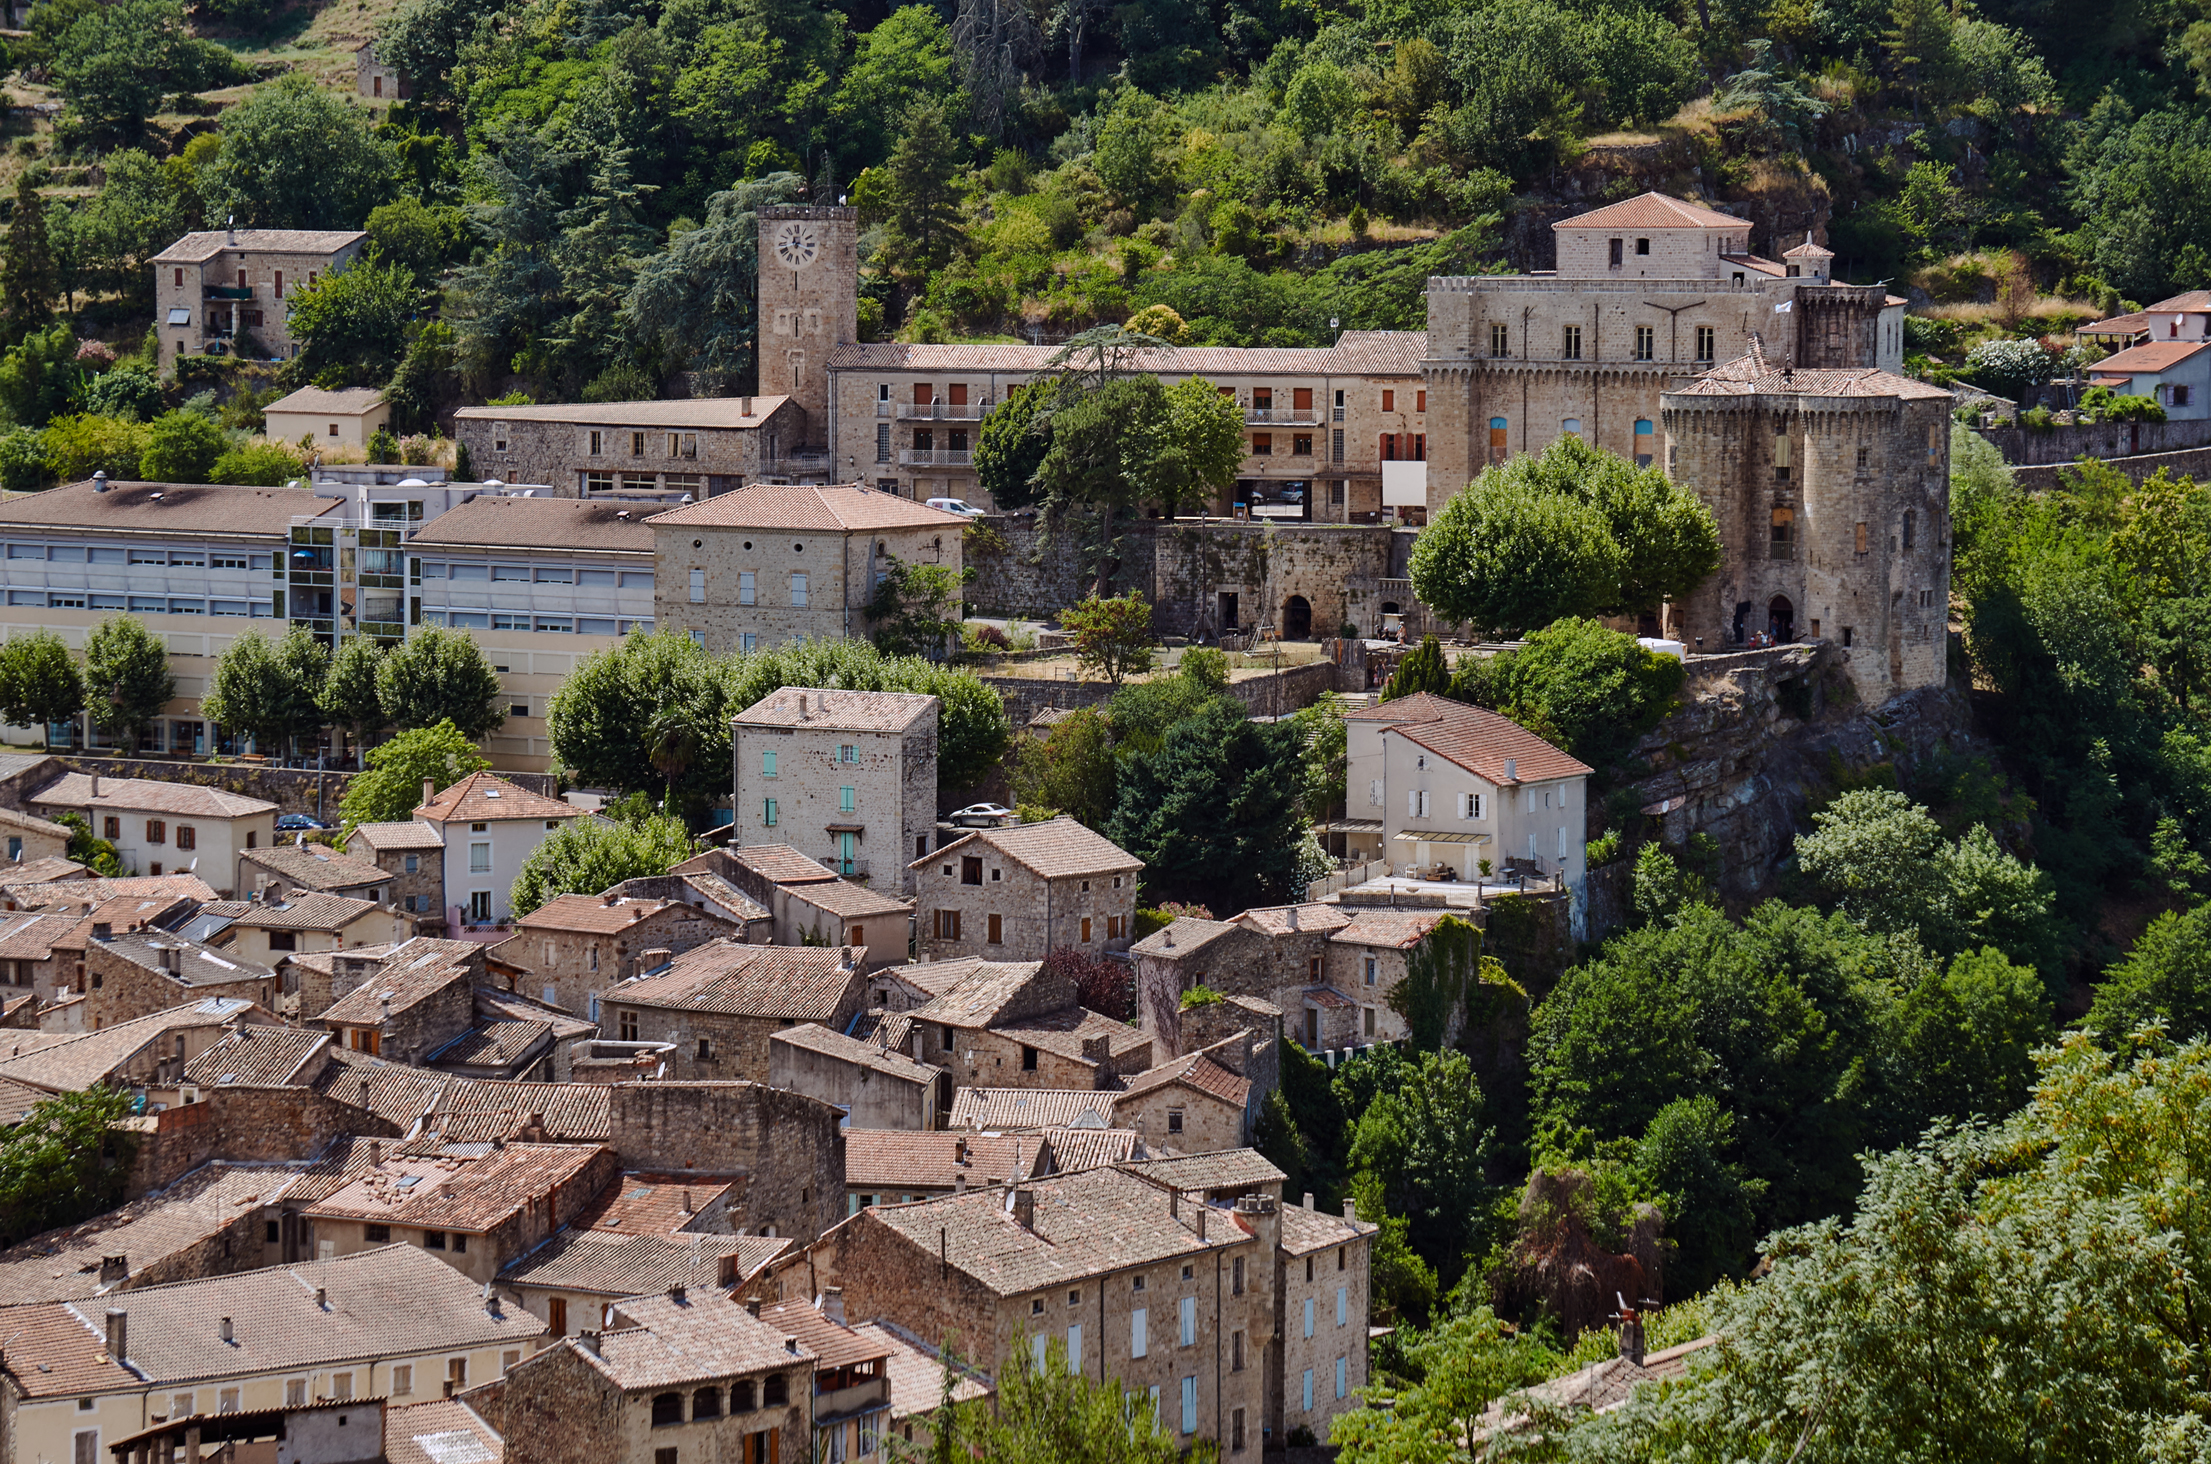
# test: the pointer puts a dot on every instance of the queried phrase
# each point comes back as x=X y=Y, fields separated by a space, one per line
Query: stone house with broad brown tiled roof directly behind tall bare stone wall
x=722 y=1003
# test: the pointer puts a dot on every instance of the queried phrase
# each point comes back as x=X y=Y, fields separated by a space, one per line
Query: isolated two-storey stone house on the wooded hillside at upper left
x=218 y=286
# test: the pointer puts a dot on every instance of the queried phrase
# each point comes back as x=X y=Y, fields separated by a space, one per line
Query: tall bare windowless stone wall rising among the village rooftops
x=788 y=1144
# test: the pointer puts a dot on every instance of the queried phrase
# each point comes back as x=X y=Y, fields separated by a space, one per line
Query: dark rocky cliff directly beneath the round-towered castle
x=1765 y=733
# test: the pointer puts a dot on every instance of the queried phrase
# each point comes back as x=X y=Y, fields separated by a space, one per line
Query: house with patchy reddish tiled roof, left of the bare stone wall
x=476 y=1215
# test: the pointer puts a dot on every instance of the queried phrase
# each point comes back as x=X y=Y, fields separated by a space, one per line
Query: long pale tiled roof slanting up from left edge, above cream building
x=65 y=1264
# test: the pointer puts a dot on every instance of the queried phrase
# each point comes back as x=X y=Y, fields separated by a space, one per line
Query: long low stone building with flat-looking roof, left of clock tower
x=698 y=446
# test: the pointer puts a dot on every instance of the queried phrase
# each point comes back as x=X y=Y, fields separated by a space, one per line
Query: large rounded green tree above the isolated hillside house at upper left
x=300 y=156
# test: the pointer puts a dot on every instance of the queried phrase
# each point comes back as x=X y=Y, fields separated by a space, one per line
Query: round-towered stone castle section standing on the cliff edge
x=1832 y=490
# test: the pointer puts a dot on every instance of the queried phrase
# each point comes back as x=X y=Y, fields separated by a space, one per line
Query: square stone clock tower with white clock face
x=810 y=300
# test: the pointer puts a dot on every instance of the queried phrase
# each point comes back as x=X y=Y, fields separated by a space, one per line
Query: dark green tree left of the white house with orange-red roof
x=1215 y=815
